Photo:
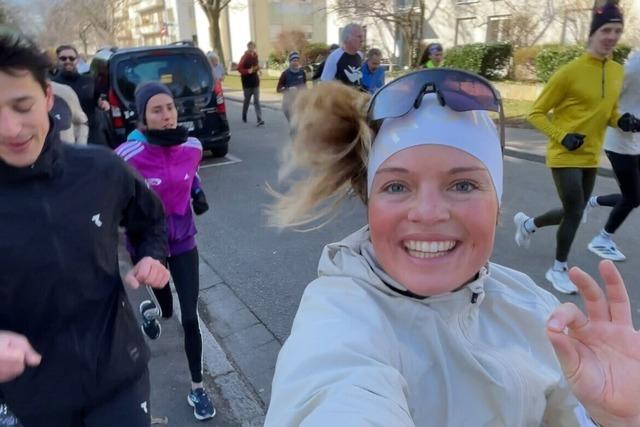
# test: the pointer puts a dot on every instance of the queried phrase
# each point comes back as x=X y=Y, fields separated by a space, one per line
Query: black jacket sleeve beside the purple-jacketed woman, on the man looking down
x=143 y=218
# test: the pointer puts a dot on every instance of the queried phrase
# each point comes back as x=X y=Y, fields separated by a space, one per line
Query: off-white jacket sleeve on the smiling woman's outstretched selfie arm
x=336 y=368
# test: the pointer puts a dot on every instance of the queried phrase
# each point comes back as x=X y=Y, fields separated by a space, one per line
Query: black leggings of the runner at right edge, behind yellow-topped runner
x=627 y=170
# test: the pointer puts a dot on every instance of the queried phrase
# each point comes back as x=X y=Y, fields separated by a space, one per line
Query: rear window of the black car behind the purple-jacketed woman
x=184 y=74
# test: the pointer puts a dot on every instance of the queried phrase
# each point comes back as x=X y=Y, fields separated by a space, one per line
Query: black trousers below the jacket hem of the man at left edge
x=127 y=408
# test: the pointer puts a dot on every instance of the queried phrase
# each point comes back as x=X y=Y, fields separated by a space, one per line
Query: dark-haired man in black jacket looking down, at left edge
x=71 y=350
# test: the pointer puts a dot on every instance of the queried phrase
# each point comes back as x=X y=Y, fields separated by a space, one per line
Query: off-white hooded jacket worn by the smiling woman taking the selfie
x=363 y=354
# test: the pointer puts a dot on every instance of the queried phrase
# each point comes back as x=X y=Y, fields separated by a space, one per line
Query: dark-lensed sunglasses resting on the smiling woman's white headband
x=457 y=89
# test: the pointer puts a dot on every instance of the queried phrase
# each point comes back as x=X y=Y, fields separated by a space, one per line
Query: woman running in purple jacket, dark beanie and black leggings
x=168 y=160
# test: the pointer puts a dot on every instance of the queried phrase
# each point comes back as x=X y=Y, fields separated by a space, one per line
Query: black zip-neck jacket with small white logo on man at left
x=60 y=284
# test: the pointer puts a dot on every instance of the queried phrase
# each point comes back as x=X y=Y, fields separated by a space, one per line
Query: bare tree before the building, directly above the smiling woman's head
x=408 y=20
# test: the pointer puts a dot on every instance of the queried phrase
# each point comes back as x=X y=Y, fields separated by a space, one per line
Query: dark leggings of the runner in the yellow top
x=574 y=186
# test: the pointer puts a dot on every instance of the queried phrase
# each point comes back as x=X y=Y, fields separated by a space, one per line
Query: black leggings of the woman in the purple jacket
x=184 y=270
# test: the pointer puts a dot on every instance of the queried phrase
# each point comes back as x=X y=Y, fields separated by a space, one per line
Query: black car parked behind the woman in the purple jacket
x=184 y=69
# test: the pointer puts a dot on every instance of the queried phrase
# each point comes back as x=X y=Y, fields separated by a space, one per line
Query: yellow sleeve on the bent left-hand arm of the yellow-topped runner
x=552 y=94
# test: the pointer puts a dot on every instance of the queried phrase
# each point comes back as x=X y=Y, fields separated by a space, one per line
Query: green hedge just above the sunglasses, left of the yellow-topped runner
x=490 y=60
